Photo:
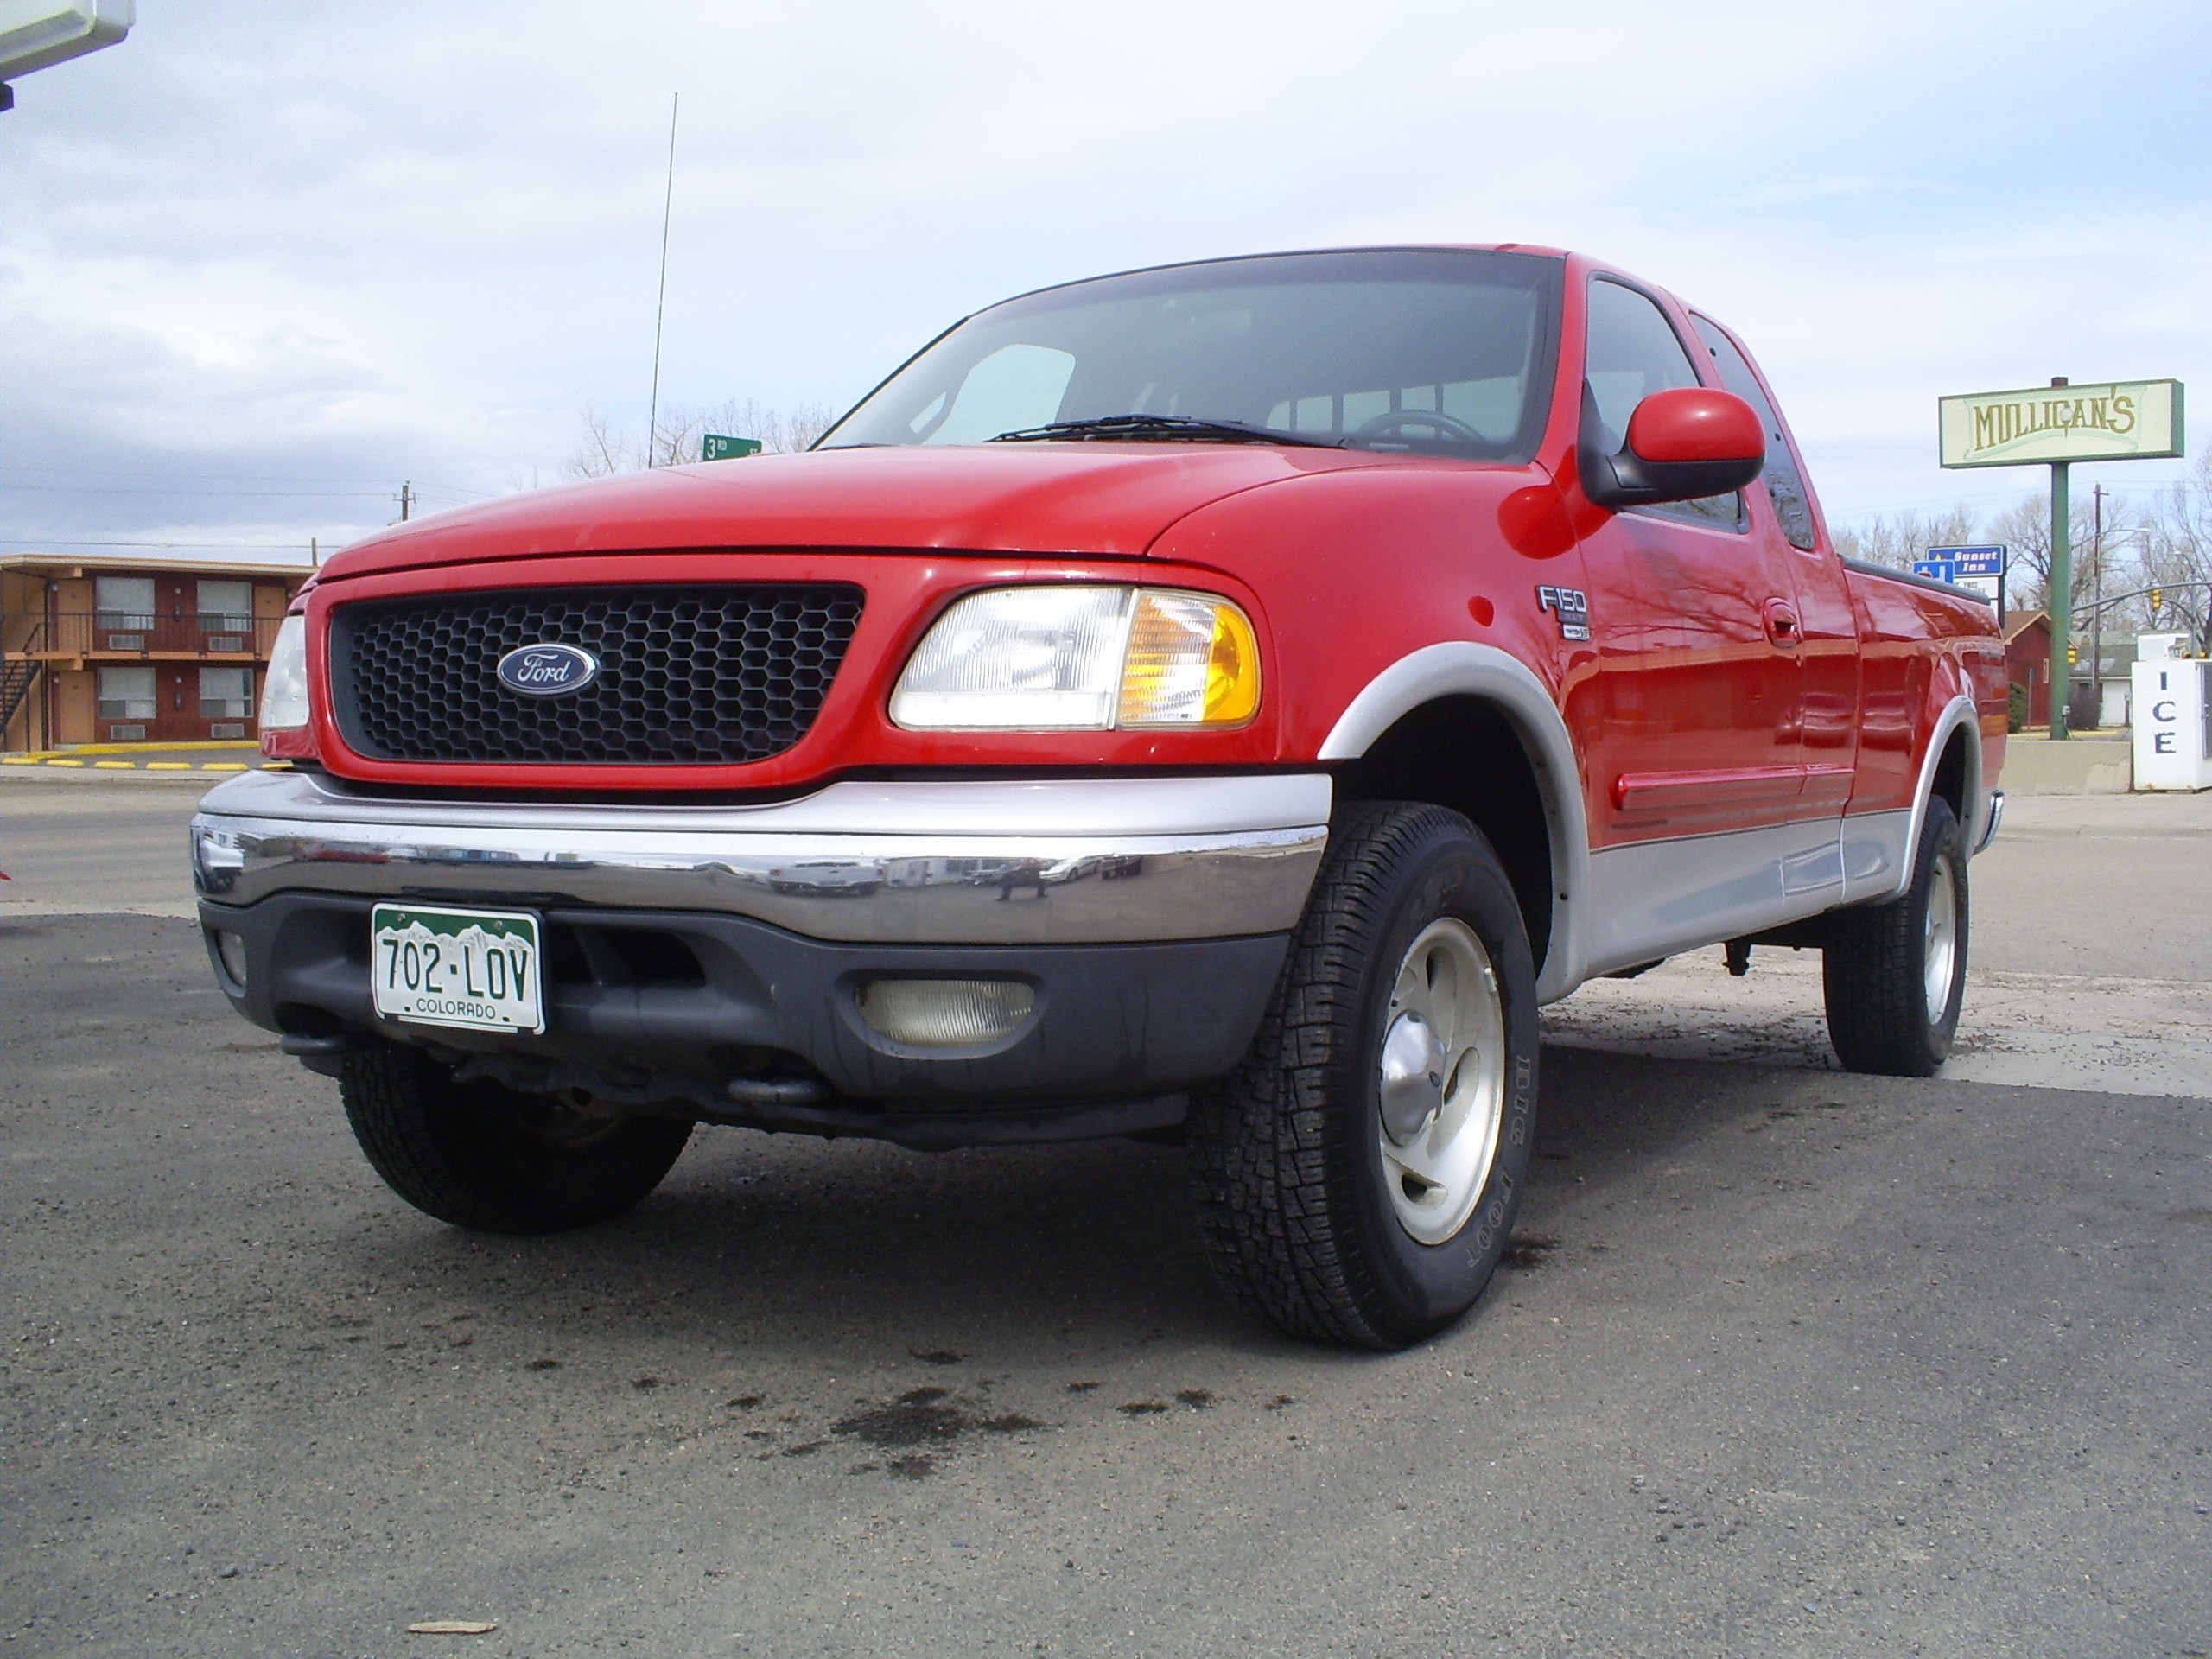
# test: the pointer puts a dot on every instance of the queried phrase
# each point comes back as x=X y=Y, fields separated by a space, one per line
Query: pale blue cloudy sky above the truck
x=264 y=262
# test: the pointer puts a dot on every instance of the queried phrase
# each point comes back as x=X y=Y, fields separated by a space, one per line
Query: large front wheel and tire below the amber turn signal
x=1359 y=1173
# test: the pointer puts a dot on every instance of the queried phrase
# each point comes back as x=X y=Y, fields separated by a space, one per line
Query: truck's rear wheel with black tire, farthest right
x=1897 y=974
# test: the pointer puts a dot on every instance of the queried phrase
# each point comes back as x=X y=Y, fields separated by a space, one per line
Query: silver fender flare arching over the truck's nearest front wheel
x=1468 y=669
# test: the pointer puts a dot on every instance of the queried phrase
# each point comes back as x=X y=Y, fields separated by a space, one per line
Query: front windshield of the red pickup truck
x=1408 y=351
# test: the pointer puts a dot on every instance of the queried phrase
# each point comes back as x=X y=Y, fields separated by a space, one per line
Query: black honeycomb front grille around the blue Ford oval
x=698 y=676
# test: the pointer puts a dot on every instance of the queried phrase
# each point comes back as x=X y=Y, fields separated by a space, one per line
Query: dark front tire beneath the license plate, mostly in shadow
x=490 y=1158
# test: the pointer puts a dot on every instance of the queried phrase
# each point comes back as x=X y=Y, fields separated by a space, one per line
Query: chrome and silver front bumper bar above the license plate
x=1036 y=862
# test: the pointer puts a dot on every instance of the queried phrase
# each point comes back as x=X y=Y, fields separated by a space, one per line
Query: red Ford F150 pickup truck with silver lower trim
x=1220 y=700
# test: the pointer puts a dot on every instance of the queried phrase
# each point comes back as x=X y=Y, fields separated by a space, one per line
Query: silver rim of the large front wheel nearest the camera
x=1441 y=1081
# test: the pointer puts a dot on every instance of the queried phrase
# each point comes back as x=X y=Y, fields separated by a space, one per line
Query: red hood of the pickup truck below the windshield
x=1098 y=499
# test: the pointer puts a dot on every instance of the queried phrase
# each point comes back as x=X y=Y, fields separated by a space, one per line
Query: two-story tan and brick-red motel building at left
x=136 y=651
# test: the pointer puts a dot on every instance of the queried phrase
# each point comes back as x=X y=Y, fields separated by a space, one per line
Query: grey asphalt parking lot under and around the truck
x=1786 y=1361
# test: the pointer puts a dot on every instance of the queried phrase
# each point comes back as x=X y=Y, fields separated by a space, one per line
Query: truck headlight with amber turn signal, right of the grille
x=1081 y=660
